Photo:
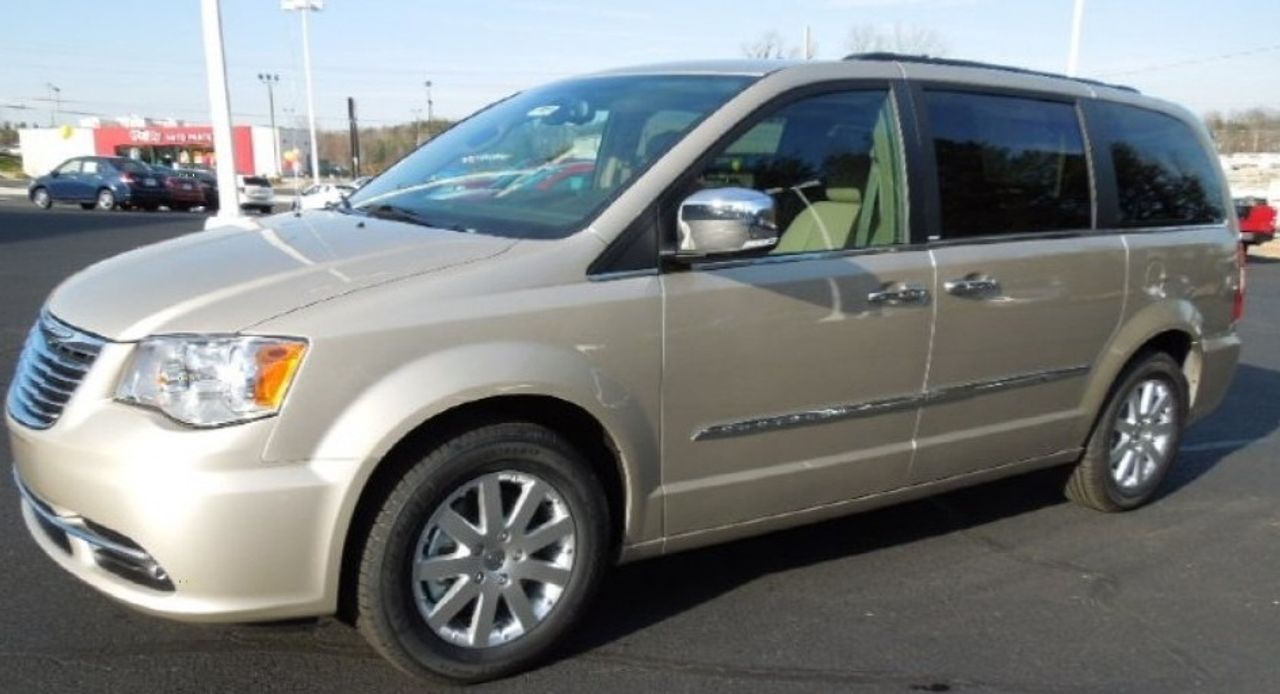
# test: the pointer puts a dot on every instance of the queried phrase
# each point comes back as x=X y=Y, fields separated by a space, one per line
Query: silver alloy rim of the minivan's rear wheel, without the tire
x=1144 y=433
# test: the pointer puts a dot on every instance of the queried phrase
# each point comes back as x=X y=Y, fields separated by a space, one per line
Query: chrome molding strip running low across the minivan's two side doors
x=835 y=413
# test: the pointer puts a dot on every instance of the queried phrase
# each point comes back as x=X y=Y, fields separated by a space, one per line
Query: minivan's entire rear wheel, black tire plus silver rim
x=1136 y=441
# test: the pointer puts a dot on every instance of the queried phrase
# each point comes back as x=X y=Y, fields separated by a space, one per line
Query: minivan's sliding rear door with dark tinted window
x=1027 y=293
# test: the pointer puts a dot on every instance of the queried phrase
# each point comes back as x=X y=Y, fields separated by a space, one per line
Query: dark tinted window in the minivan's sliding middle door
x=1008 y=165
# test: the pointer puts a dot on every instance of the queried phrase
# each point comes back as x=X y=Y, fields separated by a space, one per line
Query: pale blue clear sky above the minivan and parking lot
x=147 y=57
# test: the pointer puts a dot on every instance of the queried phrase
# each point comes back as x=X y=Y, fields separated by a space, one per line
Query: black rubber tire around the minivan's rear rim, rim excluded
x=1094 y=482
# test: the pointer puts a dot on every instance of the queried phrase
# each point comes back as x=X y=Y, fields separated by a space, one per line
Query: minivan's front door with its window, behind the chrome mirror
x=794 y=380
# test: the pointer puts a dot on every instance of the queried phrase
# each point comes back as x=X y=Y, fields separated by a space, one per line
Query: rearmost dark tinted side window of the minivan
x=1164 y=176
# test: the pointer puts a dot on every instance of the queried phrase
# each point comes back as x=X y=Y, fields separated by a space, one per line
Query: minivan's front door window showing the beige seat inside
x=831 y=163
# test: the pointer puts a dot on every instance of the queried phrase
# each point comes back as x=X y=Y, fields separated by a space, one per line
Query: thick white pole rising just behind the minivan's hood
x=221 y=112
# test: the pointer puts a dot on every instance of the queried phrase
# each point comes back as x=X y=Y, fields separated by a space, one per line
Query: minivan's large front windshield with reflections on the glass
x=543 y=163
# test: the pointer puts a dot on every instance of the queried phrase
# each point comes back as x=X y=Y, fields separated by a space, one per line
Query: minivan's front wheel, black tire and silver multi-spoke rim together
x=483 y=555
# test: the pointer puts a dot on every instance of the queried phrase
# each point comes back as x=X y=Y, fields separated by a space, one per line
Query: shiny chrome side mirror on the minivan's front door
x=726 y=221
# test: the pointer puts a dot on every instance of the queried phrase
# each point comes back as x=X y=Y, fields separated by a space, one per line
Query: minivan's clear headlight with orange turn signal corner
x=209 y=381
